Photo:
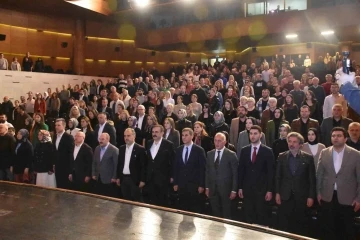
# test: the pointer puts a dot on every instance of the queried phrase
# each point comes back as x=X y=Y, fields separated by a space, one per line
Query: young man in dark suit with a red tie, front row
x=256 y=172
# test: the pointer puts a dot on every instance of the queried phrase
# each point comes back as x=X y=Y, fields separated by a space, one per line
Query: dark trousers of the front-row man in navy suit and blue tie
x=190 y=199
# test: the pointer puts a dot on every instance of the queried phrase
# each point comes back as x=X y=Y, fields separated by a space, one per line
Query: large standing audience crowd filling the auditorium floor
x=216 y=133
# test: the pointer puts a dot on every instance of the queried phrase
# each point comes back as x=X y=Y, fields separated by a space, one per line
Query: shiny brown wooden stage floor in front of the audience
x=29 y=212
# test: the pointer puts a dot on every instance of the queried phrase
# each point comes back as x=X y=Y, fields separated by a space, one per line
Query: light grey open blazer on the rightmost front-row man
x=347 y=179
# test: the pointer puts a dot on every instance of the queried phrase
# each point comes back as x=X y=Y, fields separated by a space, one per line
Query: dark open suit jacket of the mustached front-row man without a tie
x=159 y=169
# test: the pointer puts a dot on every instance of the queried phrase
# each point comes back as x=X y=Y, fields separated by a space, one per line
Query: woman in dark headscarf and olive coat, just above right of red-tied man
x=272 y=126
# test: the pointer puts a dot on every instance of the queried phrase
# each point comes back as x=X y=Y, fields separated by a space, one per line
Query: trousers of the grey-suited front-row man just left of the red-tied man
x=220 y=204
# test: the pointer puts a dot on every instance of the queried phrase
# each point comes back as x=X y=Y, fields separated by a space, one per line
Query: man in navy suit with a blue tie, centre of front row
x=189 y=173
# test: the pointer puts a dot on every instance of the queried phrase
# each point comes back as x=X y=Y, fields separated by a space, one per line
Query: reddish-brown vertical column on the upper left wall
x=79 y=47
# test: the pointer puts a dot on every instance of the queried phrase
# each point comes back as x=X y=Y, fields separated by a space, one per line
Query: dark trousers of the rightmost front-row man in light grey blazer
x=337 y=220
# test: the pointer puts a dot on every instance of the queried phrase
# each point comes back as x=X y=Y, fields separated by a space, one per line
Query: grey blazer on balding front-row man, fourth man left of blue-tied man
x=107 y=167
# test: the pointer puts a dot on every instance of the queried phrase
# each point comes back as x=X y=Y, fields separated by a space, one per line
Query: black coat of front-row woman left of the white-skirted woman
x=23 y=158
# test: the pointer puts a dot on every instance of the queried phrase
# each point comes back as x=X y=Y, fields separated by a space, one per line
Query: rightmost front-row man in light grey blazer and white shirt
x=338 y=187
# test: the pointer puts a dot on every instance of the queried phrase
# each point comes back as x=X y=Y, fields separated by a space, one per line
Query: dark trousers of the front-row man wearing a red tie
x=256 y=209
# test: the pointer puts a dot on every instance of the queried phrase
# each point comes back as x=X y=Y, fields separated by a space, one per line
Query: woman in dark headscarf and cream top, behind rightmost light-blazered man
x=313 y=147
